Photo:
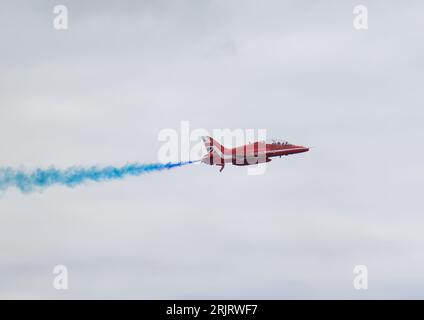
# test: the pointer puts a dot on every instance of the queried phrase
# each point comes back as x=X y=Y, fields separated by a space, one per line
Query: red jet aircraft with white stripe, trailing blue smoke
x=249 y=154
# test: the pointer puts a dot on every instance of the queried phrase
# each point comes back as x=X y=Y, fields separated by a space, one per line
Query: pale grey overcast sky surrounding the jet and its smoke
x=101 y=91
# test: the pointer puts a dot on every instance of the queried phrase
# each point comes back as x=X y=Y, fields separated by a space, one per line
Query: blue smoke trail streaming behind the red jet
x=71 y=177
